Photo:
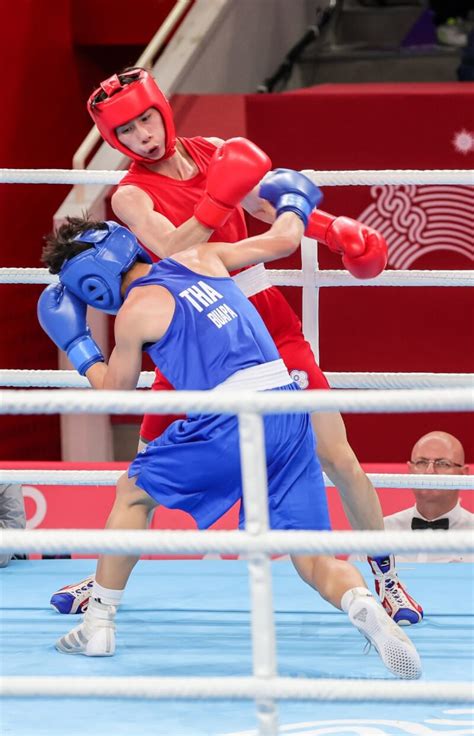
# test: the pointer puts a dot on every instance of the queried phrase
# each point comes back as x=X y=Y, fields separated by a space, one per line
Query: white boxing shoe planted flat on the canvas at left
x=95 y=636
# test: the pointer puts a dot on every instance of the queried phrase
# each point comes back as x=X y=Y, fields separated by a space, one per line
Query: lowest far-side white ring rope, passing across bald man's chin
x=110 y=478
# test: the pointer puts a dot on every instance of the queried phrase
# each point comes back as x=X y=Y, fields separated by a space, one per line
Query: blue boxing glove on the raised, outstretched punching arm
x=290 y=191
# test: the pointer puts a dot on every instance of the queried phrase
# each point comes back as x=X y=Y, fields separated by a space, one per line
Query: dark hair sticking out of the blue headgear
x=61 y=244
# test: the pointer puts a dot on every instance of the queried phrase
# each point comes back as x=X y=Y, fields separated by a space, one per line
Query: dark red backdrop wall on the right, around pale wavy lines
x=344 y=127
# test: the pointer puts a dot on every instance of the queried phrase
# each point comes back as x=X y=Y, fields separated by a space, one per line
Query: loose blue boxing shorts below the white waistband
x=194 y=466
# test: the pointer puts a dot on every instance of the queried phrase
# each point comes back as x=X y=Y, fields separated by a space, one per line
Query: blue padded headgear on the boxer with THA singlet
x=95 y=275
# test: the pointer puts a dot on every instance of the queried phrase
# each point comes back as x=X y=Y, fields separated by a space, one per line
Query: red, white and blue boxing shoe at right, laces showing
x=400 y=606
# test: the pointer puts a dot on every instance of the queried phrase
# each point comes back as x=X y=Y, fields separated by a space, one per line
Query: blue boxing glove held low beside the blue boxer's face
x=63 y=317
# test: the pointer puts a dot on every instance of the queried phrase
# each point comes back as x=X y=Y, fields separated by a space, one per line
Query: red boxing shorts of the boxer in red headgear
x=294 y=350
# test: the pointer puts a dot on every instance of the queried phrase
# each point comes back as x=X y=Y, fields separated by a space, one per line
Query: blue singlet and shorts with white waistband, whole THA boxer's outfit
x=217 y=338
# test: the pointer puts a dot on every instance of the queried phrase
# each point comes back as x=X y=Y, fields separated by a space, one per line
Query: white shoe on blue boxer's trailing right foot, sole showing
x=396 y=650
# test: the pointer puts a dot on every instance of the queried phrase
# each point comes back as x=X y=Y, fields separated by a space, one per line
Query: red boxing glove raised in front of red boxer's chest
x=234 y=170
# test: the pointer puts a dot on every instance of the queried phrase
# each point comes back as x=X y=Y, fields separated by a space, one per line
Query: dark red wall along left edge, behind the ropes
x=41 y=124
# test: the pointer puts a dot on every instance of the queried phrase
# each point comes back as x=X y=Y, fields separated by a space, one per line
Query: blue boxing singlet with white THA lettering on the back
x=215 y=331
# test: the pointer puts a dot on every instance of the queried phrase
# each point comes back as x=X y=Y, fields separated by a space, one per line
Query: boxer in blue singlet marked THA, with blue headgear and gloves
x=200 y=330
